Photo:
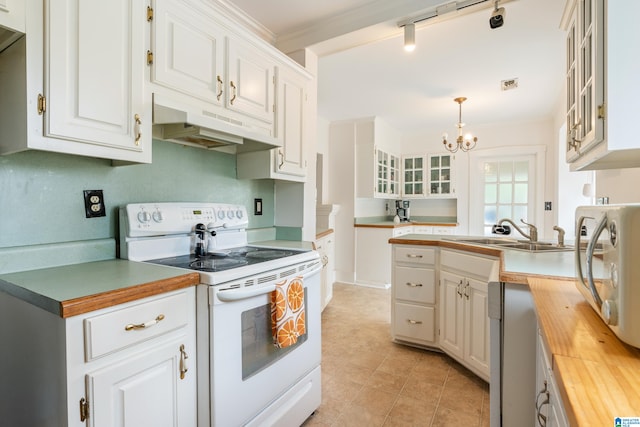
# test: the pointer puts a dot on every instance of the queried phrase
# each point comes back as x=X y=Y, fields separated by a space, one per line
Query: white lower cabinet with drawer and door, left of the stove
x=133 y=364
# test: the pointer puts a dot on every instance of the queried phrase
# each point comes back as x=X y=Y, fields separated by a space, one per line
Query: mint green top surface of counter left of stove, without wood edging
x=50 y=288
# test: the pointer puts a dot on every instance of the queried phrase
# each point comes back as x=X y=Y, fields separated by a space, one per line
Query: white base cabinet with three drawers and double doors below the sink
x=443 y=303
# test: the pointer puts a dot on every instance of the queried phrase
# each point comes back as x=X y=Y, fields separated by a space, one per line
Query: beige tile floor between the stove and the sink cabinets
x=369 y=381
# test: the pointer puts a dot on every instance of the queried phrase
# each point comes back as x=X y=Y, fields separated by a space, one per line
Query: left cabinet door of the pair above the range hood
x=188 y=50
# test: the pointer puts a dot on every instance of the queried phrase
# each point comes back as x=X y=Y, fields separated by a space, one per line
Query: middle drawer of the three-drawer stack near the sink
x=415 y=284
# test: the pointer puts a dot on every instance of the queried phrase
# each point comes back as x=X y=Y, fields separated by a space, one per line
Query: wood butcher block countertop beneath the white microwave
x=597 y=374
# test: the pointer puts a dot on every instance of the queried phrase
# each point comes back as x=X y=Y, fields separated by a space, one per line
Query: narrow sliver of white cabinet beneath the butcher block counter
x=549 y=411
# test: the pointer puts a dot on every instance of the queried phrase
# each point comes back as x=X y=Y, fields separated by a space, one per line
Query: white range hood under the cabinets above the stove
x=187 y=124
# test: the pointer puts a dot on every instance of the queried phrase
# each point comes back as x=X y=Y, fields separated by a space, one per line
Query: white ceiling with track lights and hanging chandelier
x=364 y=71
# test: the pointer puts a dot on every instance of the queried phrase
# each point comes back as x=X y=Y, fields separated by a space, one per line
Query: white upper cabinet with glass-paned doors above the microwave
x=601 y=84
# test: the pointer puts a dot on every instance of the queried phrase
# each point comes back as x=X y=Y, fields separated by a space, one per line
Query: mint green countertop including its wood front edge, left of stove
x=80 y=288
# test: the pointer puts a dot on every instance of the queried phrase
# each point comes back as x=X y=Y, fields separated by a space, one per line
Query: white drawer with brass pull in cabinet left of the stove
x=118 y=329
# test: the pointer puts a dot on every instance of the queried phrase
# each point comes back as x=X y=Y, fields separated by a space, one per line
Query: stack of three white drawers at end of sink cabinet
x=414 y=296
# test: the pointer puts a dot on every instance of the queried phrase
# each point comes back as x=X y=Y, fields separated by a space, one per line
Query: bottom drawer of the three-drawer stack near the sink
x=415 y=322
